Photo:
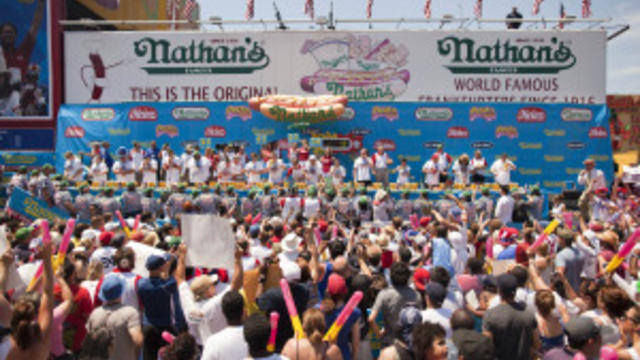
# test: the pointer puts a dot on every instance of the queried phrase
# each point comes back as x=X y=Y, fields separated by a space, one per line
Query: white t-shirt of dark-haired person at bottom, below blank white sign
x=226 y=344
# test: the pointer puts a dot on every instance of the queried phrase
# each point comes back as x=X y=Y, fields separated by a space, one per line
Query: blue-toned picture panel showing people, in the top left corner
x=25 y=61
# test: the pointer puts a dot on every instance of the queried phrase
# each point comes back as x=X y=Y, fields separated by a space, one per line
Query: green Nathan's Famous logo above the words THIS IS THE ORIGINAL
x=200 y=57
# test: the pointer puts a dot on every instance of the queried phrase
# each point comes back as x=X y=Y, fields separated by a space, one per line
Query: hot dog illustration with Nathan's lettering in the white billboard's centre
x=358 y=67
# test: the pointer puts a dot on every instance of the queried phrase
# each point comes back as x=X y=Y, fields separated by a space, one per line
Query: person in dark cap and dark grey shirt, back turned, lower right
x=510 y=320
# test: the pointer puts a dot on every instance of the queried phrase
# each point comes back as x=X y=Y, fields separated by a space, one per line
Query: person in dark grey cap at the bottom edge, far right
x=583 y=336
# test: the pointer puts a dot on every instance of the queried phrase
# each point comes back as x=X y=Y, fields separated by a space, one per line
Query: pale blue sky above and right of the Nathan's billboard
x=623 y=52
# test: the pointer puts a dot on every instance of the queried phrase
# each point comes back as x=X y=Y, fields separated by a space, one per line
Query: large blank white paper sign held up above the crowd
x=210 y=241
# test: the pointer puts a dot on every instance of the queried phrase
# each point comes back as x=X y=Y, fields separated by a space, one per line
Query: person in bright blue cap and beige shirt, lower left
x=122 y=321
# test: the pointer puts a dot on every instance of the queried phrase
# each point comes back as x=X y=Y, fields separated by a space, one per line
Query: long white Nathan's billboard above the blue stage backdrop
x=429 y=66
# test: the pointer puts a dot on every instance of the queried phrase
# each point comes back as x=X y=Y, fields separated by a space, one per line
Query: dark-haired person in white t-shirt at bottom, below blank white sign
x=228 y=343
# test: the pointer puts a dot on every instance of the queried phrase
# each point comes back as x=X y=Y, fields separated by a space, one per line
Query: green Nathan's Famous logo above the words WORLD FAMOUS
x=504 y=57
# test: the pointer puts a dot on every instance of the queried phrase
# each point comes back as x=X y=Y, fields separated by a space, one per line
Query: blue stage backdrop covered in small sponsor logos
x=547 y=142
